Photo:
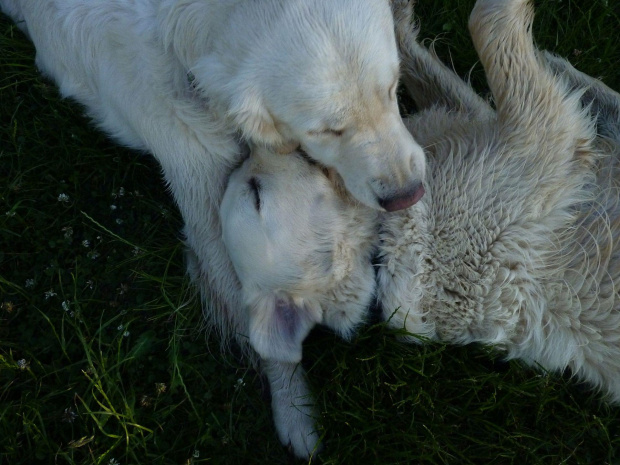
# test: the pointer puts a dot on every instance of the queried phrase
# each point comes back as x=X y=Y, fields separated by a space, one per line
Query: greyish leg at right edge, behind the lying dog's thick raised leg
x=603 y=102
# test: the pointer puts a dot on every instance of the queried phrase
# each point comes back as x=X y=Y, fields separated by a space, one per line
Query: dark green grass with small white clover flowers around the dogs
x=102 y=360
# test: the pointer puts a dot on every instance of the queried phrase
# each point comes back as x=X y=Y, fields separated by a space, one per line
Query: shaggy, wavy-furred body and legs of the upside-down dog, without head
x=517 y=241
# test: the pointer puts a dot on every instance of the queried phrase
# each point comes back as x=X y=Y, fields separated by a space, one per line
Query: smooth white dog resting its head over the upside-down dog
x=182 y=79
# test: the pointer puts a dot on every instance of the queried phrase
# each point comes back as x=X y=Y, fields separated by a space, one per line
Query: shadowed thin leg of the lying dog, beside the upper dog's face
x=429 y=82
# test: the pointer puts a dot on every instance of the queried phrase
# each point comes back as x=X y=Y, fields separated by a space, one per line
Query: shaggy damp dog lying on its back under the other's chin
x=517 y=241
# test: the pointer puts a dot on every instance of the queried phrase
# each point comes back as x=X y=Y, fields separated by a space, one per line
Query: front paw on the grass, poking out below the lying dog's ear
x=293 y=407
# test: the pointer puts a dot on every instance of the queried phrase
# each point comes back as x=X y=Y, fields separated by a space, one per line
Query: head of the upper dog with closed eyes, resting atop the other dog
x=321 y=74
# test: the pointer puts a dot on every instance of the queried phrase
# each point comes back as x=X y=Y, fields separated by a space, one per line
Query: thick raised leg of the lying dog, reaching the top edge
x=539 y=121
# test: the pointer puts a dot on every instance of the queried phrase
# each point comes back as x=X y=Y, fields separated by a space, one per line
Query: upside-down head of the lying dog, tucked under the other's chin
x=301 y=251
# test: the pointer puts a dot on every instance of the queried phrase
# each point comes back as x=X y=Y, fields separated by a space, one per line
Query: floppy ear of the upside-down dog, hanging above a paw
x=278 y=327
